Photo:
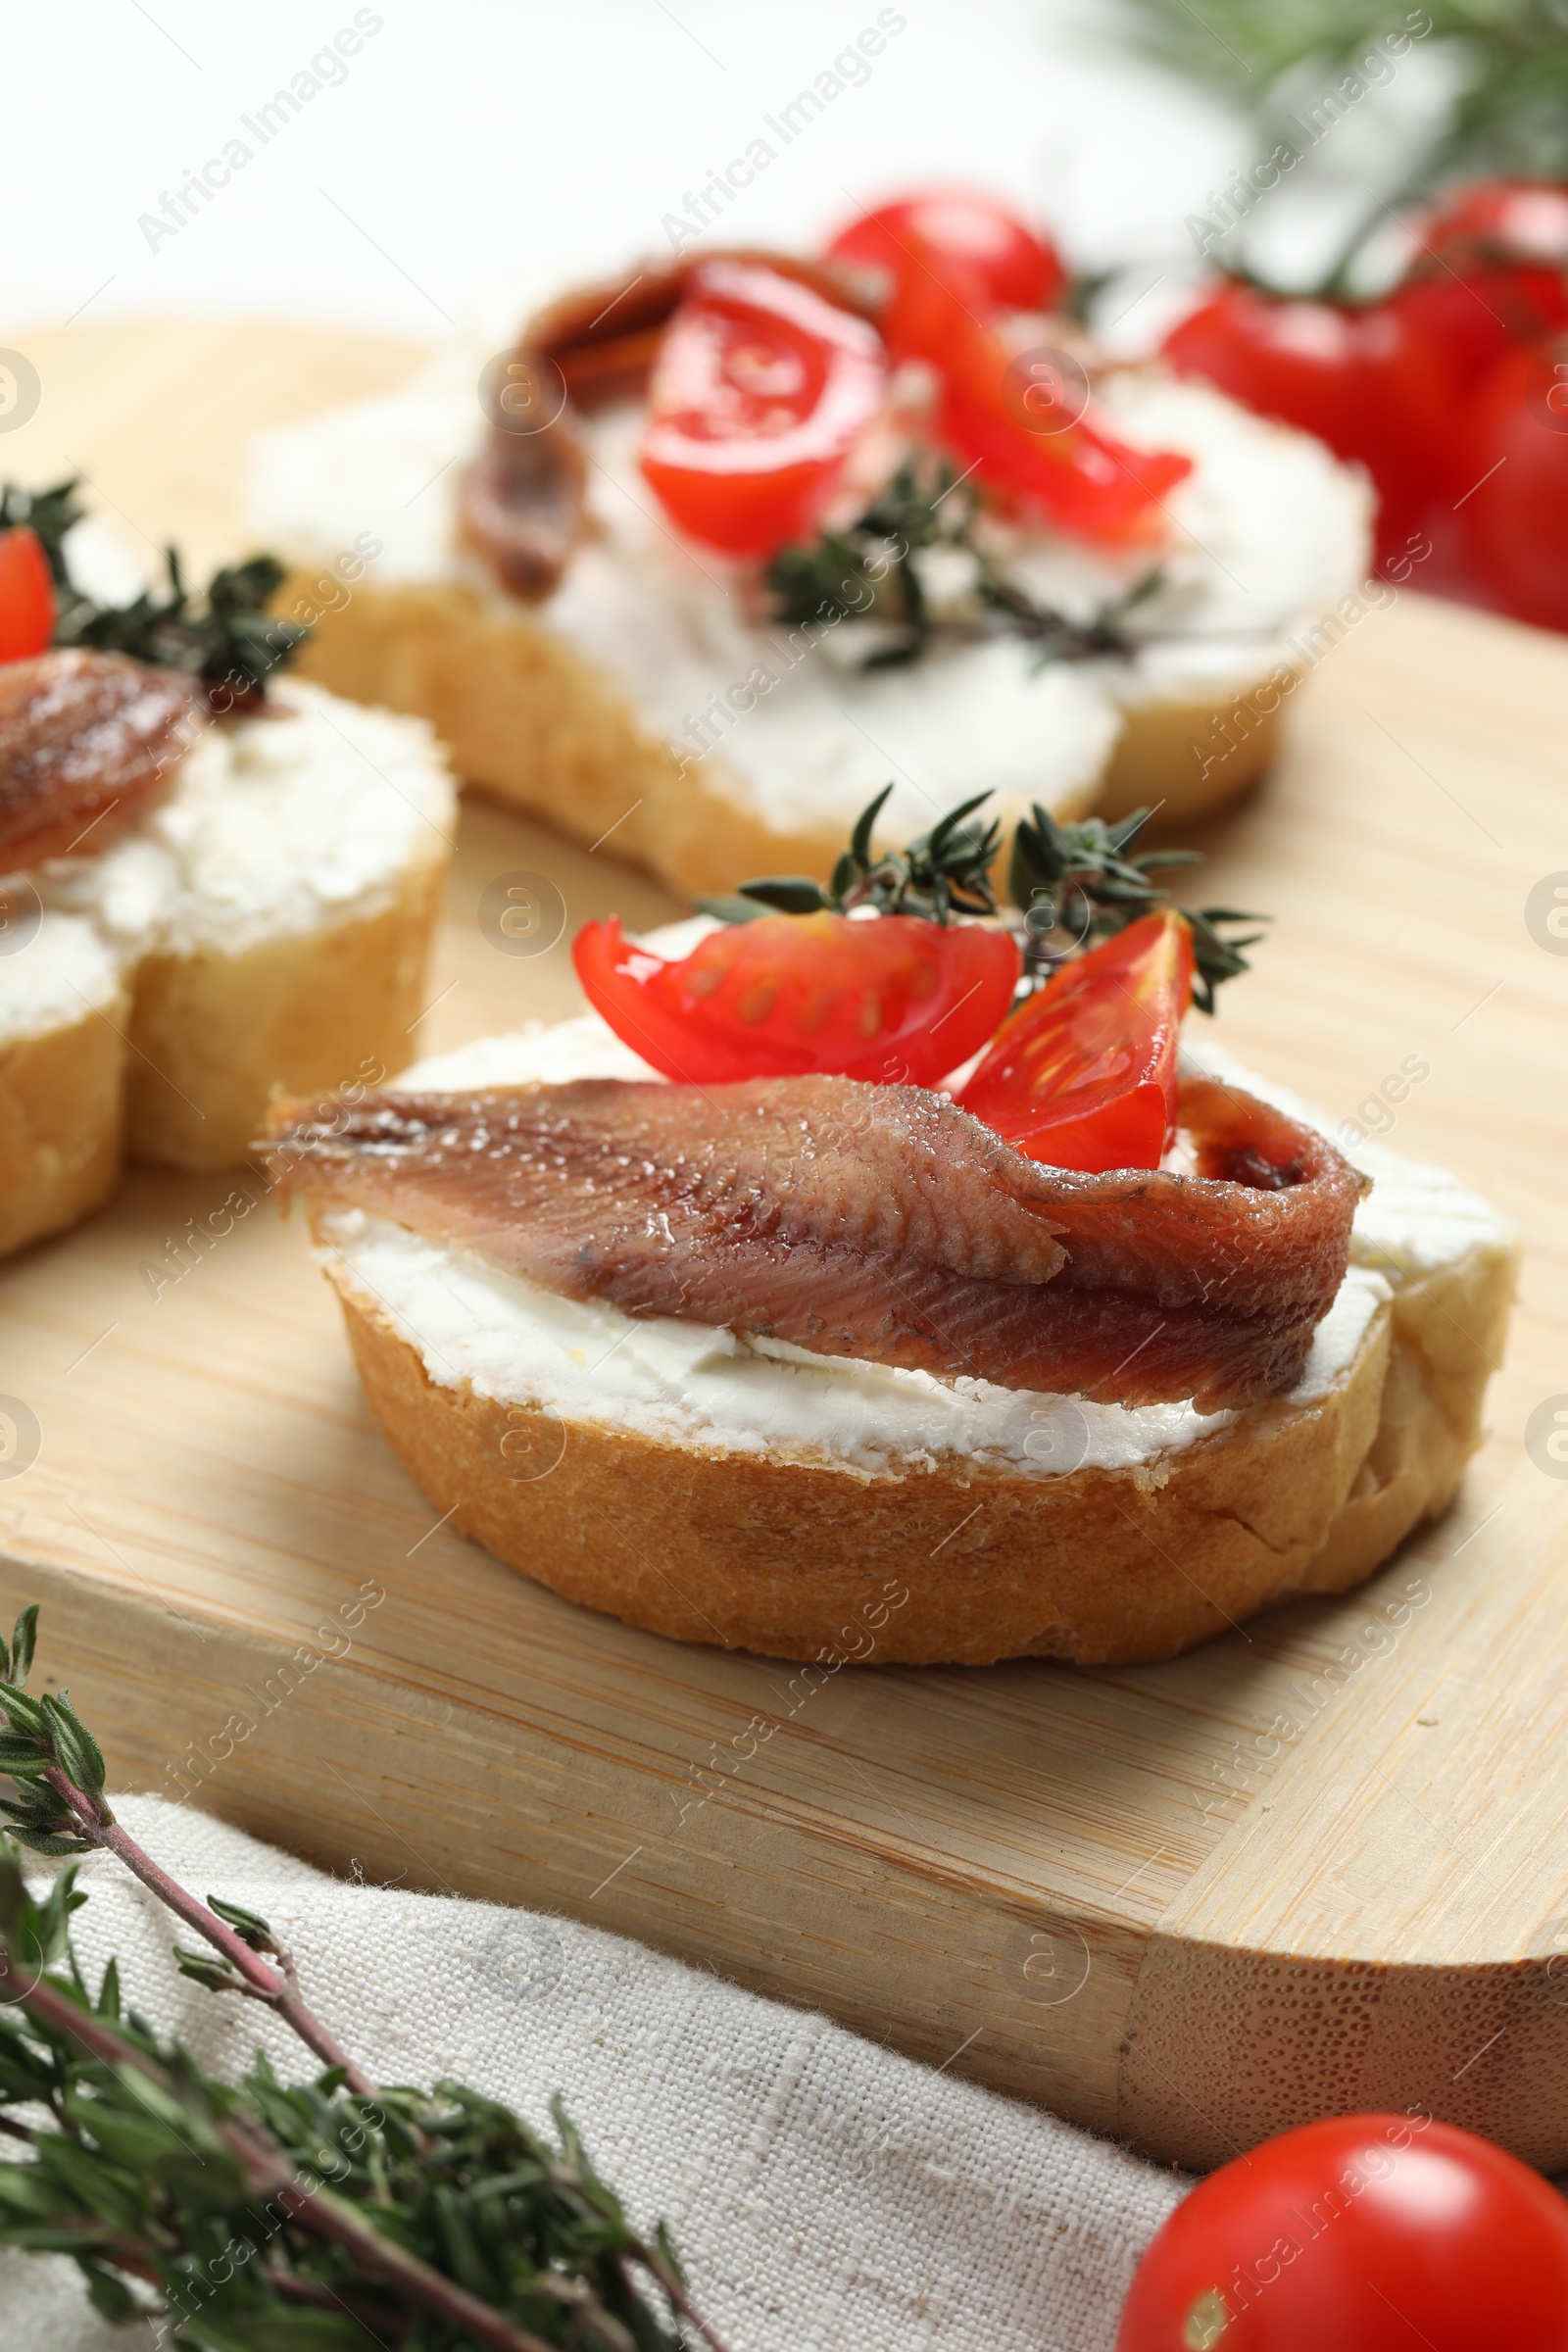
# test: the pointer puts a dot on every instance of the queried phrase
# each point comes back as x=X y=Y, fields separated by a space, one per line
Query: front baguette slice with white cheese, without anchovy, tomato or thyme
x=756 y=1497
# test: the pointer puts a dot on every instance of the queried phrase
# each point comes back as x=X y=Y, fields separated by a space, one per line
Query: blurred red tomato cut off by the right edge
x=1517 y=460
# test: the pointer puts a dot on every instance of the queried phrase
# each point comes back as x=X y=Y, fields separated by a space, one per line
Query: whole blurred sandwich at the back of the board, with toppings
x=728 y=540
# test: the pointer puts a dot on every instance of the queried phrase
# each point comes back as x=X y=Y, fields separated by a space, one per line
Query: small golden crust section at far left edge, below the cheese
x=62 y=1114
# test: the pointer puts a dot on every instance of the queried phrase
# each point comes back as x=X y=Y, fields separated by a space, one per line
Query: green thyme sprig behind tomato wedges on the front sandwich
x=1071 y=886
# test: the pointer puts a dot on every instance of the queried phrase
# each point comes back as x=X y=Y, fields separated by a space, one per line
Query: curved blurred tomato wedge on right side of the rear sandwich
x=1073 y=472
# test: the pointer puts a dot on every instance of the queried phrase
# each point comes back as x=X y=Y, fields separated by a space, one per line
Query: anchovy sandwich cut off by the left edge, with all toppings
x=213 y=881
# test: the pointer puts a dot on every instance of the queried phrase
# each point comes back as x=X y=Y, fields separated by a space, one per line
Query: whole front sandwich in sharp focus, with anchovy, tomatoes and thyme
x=885 y=1243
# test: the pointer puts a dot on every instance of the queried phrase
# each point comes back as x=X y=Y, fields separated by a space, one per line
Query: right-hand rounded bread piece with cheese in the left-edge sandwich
x=274 y=916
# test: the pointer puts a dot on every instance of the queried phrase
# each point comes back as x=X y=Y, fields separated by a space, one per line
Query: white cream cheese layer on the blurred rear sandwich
x=1266 y=533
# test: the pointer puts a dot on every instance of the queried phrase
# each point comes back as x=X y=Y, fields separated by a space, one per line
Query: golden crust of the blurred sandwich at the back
x=540 y=728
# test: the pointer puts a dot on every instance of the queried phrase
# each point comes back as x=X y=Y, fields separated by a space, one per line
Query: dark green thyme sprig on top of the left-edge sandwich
x=227 y=636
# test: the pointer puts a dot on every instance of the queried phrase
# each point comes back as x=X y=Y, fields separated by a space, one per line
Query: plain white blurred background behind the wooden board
x=474 y=147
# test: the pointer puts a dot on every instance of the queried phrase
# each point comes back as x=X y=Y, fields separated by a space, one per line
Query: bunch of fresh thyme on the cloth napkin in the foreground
x=267 y=2217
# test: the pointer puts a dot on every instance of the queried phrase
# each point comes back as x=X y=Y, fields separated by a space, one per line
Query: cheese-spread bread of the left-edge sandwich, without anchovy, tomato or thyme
x=267 y=923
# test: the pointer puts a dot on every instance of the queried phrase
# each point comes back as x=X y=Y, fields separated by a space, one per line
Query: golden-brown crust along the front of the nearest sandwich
x=779 y=1556
